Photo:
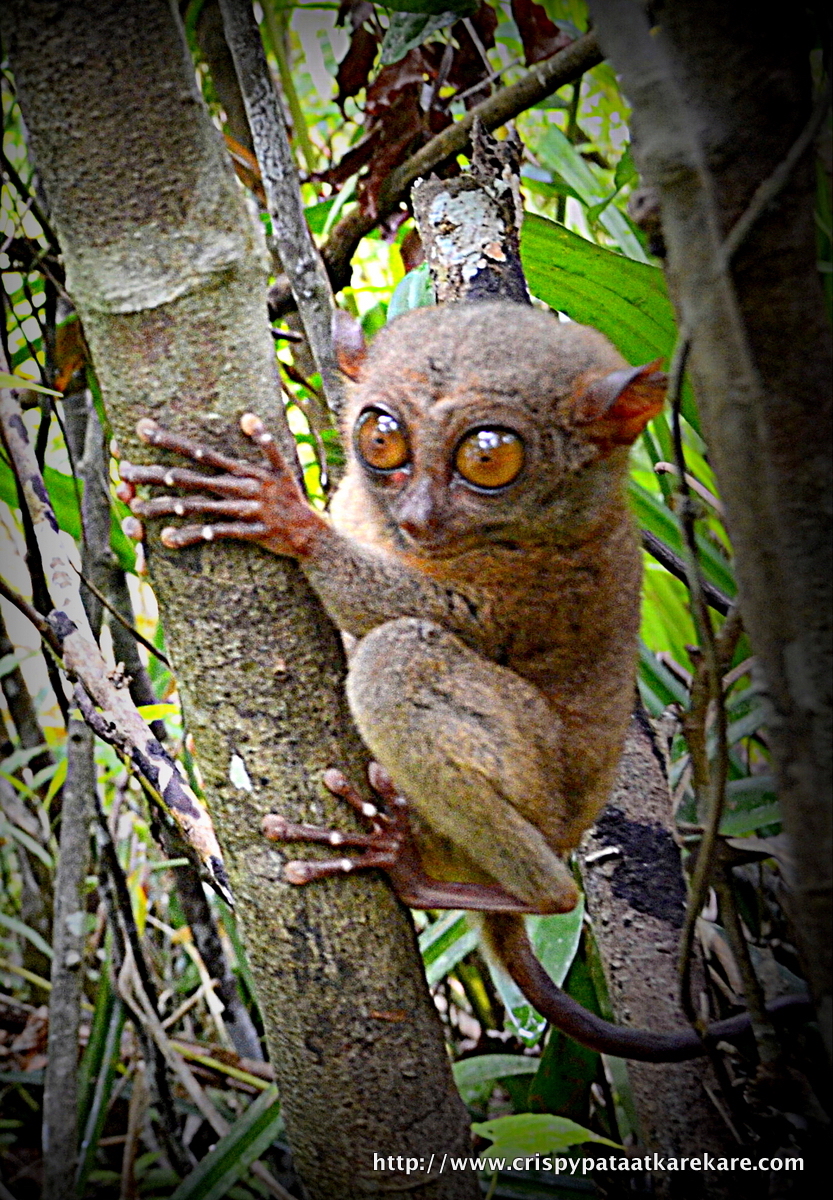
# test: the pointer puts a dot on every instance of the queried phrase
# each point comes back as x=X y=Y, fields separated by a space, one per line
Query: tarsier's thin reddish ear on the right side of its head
x=615 y=410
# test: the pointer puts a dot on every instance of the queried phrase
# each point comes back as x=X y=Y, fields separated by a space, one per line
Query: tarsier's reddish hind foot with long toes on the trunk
x=389 y=847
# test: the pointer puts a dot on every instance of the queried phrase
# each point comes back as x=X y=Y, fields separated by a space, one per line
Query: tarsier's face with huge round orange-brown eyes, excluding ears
x=463 y=428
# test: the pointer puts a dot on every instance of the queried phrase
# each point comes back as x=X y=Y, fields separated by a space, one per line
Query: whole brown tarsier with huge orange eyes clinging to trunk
x=482 y=553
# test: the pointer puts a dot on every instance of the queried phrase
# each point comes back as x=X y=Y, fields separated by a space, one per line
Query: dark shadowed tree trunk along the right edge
x=721 y=95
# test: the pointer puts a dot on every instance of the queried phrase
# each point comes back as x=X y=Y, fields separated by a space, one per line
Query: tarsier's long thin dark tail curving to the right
x=510 y=943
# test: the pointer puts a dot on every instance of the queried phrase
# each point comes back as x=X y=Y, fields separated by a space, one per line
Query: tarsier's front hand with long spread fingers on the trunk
x=262 y=505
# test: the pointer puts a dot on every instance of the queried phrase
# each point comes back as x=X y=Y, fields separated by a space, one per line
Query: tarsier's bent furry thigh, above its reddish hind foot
x=474 y=747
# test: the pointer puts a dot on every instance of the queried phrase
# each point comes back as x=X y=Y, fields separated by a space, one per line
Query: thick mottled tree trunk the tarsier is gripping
x=169 y=277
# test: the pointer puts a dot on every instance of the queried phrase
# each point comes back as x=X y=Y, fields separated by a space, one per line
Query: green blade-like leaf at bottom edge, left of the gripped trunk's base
x=230 y=1160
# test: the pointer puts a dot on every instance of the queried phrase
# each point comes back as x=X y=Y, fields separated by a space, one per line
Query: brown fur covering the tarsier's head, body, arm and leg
x=506 y=754
